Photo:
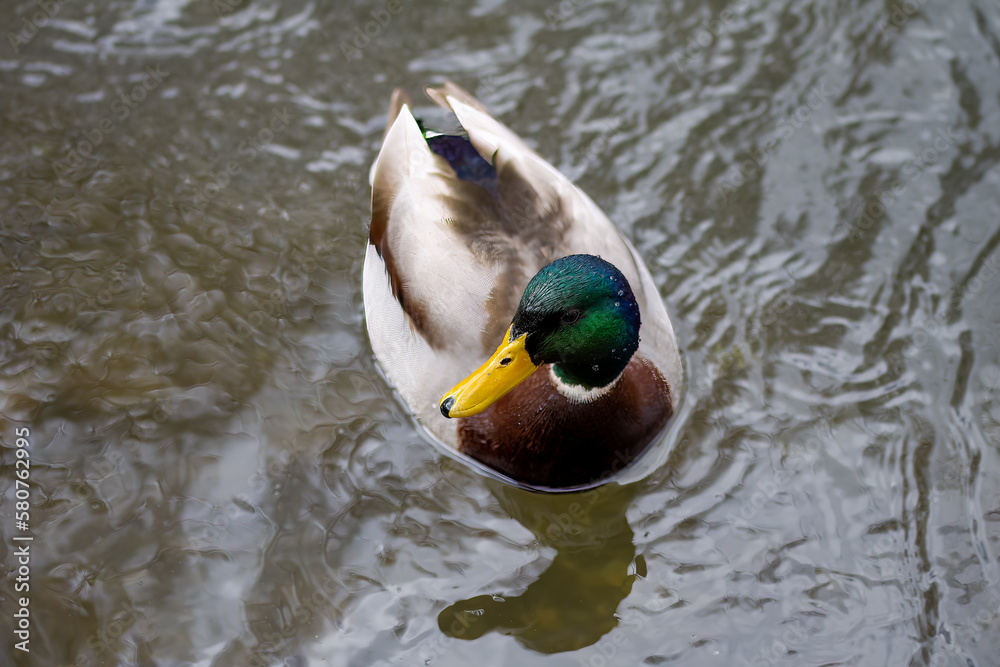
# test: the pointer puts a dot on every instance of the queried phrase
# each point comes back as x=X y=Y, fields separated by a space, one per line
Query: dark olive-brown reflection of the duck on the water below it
x=573 y=603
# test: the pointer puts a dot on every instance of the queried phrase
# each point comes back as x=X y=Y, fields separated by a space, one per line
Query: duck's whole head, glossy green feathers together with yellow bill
x=578 y=314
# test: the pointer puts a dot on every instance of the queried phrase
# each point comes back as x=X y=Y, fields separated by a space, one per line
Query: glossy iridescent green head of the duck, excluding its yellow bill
x=579 y=313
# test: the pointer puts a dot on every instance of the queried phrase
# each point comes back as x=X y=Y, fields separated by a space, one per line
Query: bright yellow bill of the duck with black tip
x=509 y=366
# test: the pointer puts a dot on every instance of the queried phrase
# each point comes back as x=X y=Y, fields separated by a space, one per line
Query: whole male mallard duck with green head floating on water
x=477 y=240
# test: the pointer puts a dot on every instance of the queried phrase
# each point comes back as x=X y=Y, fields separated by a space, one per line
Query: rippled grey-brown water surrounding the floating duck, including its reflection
x=220 y=475
